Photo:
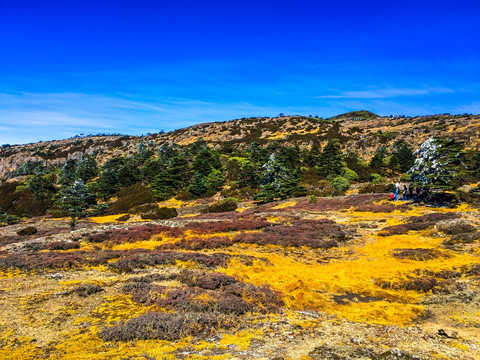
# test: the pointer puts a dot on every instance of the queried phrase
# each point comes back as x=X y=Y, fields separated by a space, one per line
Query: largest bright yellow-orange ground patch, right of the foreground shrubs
x=310 y=285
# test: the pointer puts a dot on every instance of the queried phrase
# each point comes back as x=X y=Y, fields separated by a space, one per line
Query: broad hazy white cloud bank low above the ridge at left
x=29 y=117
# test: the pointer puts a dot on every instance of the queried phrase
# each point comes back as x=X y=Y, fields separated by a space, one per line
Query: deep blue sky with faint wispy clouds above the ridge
x=134 y=66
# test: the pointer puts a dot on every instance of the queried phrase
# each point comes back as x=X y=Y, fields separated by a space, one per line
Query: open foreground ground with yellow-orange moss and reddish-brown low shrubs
x=349 y=277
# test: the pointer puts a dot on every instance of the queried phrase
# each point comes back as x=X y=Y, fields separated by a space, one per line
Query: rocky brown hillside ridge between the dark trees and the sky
x=355 y=134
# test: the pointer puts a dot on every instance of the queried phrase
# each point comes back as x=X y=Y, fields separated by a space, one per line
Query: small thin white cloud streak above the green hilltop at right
x=387 y=93
